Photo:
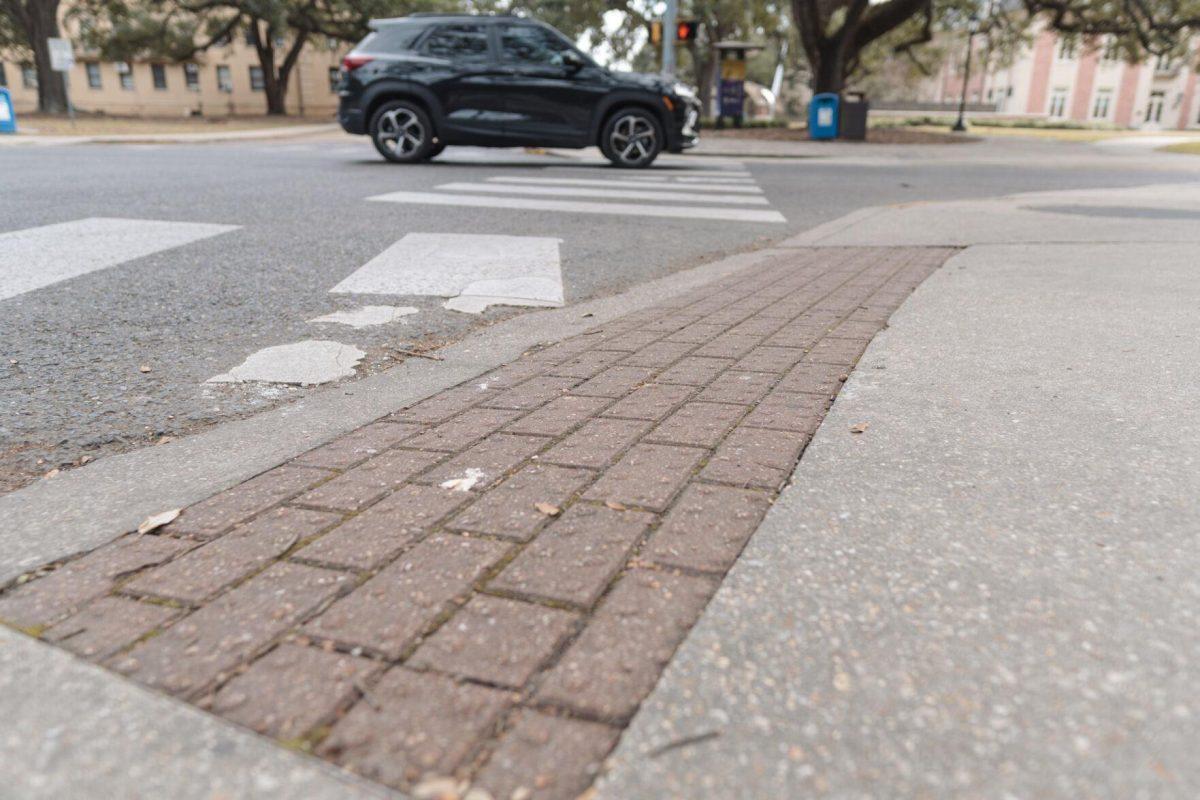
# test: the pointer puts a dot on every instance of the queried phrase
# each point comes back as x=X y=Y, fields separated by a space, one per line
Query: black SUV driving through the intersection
x=417 y=85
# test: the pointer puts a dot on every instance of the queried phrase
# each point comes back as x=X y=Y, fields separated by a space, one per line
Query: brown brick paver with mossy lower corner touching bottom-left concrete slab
x=293 y=689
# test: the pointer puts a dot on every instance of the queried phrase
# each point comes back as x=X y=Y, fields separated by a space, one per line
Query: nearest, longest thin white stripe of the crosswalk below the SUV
x=579 y=207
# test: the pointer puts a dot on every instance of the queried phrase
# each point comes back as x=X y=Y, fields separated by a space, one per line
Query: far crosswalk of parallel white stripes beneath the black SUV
x=719 y=195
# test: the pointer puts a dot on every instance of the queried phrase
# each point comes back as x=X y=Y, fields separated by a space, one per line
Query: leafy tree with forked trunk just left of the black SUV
x=277 y=29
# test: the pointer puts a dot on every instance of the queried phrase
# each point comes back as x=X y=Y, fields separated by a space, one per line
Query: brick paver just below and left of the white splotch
x=380 y=534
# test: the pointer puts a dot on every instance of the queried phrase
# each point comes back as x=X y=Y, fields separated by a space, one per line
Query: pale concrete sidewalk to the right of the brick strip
x=992 y=592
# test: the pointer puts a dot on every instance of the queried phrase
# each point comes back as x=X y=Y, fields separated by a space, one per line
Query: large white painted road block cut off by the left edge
x=41 y=257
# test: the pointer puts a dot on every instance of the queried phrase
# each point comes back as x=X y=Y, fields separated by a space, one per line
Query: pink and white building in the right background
x=1084 y=81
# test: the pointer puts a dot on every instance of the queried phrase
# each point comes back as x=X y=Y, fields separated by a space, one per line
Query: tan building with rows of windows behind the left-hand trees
x=225 y=81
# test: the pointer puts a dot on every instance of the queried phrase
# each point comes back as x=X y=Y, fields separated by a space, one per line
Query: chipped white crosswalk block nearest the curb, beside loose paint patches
x=473 y=270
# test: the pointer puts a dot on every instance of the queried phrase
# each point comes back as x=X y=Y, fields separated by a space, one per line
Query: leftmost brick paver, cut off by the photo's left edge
x=41 y=603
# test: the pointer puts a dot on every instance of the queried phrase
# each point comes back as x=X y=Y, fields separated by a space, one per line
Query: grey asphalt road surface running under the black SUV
x=118 y=358
